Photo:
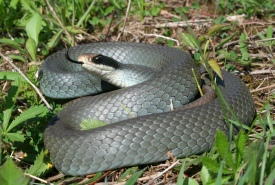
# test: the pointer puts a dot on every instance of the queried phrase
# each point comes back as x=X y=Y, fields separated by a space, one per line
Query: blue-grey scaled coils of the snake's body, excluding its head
x=140 y=128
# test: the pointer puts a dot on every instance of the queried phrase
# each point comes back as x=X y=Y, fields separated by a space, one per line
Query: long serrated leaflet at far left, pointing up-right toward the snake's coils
x=32 y=112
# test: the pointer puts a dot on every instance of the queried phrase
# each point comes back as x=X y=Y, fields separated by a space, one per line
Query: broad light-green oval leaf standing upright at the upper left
x=34 y=27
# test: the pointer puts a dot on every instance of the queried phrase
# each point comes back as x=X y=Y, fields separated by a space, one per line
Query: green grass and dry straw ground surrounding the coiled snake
x=242 y=44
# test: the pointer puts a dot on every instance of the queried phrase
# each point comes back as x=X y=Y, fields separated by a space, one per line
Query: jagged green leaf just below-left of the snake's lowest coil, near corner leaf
x=39 y=167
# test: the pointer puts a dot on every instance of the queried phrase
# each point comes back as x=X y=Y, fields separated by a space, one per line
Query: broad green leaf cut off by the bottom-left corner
x=11 y=175
